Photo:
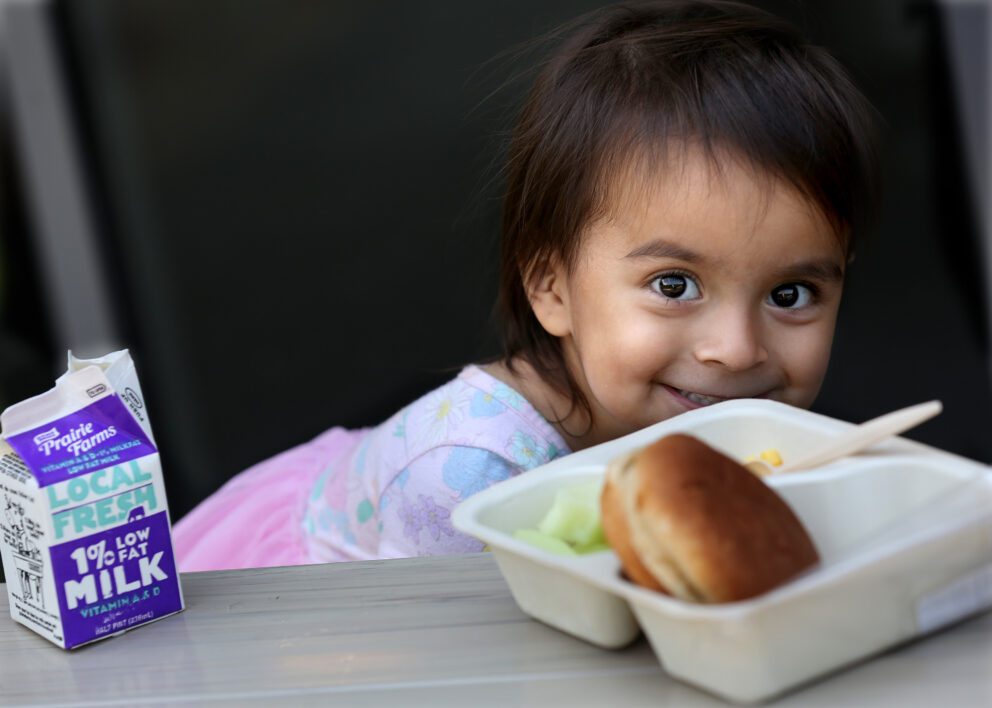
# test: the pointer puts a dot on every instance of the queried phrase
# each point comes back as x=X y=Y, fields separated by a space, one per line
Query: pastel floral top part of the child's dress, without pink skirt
x=398 y=486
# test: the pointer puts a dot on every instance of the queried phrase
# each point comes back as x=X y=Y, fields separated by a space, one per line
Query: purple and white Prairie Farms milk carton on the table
x=86 y=539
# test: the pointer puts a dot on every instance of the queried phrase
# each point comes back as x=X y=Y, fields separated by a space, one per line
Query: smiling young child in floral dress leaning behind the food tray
x=683 y=187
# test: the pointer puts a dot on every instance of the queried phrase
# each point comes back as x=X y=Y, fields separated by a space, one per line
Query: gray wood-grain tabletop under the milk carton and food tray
x=432 y=632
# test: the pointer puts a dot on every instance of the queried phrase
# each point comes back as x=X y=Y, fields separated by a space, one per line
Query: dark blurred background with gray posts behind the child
x=288 y=210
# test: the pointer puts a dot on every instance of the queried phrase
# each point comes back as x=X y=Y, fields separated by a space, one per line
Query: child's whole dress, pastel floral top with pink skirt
x=383 y=492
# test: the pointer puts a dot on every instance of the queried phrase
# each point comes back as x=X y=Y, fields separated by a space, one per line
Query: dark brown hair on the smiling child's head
x=629 y=81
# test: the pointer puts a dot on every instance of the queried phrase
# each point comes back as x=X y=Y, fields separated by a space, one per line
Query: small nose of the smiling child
x=732 y=338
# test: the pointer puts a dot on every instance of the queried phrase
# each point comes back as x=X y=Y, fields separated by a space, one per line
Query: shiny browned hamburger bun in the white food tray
x=699 y=525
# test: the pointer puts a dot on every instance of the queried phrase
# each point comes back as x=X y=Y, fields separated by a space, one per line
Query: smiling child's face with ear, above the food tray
x=712 y=287
